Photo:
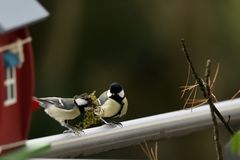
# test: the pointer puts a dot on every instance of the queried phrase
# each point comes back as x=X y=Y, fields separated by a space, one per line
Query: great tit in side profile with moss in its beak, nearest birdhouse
x=63 y=109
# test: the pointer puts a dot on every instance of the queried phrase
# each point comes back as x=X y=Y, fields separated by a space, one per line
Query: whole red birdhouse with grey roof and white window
x=16 y=67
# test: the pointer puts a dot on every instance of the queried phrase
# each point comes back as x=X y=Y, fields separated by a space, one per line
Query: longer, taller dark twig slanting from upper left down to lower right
x=202 y=88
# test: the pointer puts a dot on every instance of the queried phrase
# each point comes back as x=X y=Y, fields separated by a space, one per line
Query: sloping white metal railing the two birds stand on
x=164 y=125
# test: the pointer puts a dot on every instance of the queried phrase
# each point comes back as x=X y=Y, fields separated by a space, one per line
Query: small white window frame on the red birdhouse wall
x=10 y=85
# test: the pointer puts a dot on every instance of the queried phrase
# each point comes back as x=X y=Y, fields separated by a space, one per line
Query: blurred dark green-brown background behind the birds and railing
x=86 y=44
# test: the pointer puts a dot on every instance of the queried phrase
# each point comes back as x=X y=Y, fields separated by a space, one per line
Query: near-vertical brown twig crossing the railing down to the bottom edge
x=215 y=124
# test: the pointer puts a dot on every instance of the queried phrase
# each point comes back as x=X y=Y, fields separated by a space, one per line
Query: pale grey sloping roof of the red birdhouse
x=15 y=14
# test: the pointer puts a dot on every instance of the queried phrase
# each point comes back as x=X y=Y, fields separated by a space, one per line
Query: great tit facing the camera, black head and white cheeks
x=113 y=103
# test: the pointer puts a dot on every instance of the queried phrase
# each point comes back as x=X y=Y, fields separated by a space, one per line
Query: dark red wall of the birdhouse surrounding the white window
x=15 y=118
